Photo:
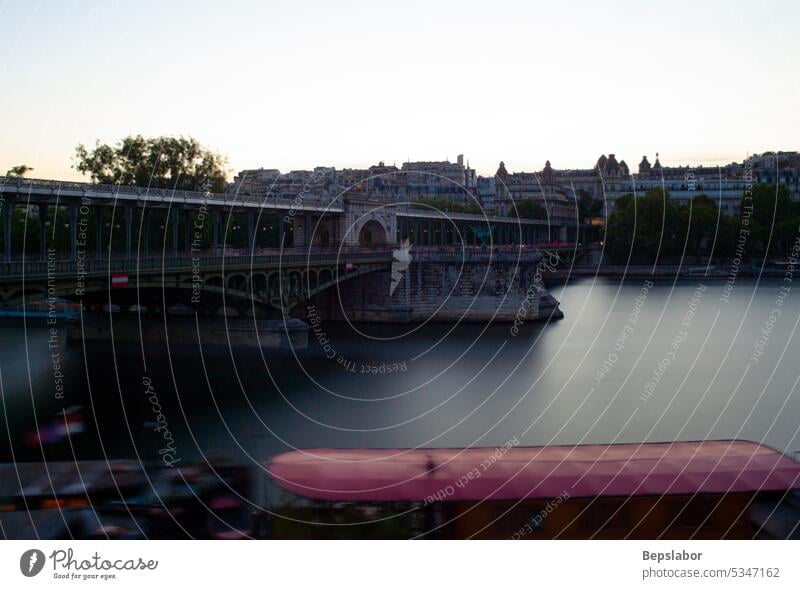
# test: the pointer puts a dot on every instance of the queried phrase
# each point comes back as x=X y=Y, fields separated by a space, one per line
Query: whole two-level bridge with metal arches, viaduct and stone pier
x=233 y=254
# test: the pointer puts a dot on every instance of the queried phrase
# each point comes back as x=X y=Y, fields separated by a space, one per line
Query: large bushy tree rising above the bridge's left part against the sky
x=159 y=162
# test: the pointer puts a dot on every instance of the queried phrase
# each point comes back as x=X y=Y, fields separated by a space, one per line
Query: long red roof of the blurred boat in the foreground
x=734 y=466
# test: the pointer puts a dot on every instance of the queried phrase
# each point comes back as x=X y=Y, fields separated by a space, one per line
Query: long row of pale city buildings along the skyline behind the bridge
x=558 y=191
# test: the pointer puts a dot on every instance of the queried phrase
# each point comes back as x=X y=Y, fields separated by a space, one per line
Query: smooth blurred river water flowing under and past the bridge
x=628 y=363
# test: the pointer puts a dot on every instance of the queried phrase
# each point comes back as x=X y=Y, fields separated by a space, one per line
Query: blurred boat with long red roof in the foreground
x=680 y=490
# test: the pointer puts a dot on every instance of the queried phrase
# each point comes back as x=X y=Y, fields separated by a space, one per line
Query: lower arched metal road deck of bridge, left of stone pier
x=247 y=284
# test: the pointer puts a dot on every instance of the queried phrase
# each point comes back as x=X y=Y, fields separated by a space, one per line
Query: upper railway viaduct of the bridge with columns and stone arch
x=130 y=219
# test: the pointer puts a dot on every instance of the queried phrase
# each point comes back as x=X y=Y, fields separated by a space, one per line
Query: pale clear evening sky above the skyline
x=299 y=83
